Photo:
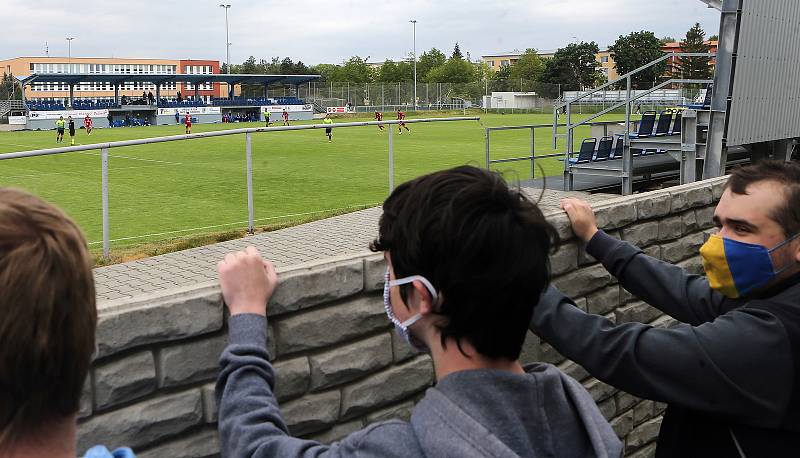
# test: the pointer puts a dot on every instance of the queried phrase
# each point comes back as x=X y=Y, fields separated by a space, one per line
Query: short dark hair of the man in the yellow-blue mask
x=783 y=173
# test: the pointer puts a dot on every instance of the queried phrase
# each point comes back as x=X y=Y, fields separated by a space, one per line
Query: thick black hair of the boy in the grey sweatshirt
x=483 y=246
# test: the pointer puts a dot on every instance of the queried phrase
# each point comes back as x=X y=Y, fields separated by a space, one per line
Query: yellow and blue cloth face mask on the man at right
x=736 y=269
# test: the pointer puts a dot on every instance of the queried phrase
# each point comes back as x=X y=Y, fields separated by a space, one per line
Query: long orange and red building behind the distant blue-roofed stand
x=26 y=66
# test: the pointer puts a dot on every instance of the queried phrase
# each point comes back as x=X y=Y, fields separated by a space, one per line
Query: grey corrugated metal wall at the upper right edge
x=766 y=89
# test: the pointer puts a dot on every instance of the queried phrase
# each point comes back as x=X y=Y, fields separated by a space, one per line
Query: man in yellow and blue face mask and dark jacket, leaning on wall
x=730 y=369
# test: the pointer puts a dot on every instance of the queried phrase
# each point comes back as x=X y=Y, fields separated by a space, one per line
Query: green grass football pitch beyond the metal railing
x=197 y=186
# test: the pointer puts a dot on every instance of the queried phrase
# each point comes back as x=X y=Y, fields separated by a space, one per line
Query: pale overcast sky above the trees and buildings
x=332 y=30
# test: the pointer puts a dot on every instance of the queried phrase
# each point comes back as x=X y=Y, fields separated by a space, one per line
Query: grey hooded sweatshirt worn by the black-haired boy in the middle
x=477 y=413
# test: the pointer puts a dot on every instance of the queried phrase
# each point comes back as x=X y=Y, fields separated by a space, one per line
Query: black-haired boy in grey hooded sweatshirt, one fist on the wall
x=465 y=254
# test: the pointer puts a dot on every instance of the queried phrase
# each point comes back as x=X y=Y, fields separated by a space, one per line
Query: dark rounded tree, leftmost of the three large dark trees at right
x=573 y=67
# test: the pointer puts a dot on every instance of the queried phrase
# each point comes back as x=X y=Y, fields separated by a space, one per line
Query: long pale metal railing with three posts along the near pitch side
x=248 y=133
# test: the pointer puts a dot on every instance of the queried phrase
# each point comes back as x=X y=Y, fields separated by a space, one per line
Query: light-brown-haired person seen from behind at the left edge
x=47 y=327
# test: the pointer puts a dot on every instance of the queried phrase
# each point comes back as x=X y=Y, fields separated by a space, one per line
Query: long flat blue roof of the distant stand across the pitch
x=113 y=78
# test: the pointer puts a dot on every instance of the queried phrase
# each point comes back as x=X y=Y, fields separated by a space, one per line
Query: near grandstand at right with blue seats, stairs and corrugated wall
x=739 y=120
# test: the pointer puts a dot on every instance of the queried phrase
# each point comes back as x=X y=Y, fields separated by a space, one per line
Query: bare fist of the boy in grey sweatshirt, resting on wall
x=247 y=281
